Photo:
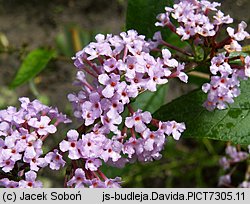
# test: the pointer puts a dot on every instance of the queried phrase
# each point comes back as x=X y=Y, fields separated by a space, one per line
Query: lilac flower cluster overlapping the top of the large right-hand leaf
x=225 y=86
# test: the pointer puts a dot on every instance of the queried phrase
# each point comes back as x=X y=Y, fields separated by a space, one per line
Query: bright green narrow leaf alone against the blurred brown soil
x=33 y=64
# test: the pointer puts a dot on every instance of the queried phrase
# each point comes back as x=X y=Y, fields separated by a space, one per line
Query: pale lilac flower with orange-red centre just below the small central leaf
x=138 y=120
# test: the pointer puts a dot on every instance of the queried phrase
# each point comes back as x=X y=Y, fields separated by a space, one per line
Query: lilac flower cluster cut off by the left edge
x=22 y=133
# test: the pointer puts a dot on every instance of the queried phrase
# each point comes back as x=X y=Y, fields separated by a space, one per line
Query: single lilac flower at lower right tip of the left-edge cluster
x=55 y=160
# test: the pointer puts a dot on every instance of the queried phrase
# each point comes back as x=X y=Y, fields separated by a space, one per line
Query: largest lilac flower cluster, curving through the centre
x=119 y=68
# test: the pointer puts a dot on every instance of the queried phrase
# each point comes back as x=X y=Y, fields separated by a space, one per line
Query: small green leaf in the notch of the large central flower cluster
x=151 y=101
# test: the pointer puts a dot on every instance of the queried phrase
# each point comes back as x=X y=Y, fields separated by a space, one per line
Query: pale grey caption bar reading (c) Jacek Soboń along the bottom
x=125 y=195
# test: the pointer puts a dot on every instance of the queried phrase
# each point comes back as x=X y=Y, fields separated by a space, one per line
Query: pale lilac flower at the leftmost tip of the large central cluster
x=71 y=144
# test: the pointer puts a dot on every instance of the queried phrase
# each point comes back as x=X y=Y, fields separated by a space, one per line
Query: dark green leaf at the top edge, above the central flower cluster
x=141 y=16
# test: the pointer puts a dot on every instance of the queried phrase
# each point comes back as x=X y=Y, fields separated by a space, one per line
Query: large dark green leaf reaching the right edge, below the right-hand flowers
x=232 y=124
